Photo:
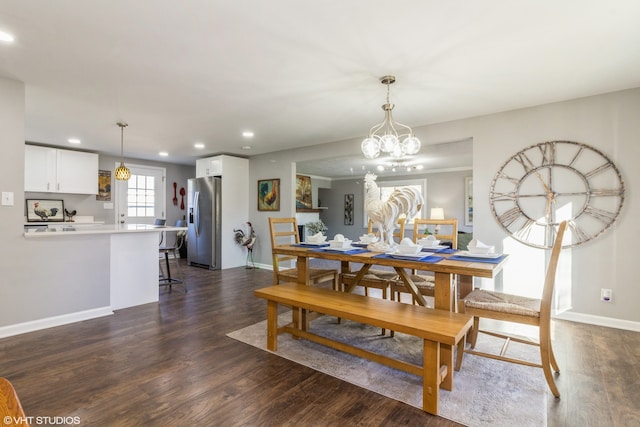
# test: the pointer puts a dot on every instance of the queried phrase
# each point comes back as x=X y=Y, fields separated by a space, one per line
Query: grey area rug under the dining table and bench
x=486 y=392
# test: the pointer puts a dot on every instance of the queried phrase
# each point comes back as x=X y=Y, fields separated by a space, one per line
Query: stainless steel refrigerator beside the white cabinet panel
x=203 y=222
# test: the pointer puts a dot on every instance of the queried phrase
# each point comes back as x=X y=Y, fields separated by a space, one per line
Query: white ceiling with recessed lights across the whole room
x=299 y=73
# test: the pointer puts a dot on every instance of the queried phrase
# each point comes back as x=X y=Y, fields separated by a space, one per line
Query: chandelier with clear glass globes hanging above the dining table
x=385 y=137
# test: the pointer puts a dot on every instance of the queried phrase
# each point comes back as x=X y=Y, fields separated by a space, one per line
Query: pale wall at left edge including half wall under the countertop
x=41 y=278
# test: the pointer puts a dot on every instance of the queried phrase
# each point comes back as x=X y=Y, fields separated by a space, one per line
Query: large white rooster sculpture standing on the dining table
x=385 y=213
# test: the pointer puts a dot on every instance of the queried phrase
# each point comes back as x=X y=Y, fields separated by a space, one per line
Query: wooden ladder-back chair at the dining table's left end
x=284 y=231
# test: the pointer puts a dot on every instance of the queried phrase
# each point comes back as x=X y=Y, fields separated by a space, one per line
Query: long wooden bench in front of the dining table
x=440 y=330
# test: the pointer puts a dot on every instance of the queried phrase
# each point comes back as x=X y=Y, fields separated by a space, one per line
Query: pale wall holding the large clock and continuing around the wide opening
x=608 y=122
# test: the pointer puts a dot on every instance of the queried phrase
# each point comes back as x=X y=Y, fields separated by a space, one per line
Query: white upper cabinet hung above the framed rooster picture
x=51 y=170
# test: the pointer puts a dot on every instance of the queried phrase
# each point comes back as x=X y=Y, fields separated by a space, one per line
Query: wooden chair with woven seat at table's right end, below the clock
x=513 y=308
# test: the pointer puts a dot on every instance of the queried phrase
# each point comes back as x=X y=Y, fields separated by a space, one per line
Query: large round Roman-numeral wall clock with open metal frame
x=549 y=182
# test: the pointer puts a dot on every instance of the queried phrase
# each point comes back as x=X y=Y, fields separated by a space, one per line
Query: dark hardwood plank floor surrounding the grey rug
x=172 y=364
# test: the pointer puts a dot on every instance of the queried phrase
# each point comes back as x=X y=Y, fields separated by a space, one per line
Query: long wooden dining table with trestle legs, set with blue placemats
x=444 y=270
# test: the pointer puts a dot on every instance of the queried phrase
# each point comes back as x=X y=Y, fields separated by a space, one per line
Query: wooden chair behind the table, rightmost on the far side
x=425 y=283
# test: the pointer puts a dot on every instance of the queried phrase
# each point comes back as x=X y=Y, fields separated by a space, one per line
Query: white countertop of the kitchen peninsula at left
x=66 y=229
